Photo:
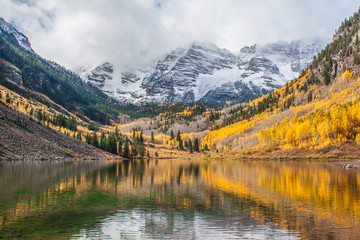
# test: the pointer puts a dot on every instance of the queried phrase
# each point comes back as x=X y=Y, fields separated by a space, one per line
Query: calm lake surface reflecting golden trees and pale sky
x=179 y=199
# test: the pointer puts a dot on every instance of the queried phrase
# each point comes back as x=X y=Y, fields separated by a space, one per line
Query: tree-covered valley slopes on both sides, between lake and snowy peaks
x=318 y=112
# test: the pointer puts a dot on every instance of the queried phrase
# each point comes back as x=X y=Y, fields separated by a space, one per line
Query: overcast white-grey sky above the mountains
x=87 y=32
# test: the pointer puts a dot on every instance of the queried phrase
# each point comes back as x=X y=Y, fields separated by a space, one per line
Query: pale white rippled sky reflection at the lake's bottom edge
x=154 y=224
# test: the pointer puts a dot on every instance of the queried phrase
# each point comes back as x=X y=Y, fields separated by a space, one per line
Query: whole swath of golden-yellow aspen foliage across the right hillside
x=307 y=123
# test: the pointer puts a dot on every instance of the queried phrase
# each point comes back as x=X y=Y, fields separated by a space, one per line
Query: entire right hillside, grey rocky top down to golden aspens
x=316 y=110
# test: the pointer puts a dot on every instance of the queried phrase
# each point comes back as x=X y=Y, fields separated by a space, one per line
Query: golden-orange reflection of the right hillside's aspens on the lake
x=325 y=193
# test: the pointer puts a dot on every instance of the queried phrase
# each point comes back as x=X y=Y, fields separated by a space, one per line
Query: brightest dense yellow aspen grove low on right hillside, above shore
x=339 y=124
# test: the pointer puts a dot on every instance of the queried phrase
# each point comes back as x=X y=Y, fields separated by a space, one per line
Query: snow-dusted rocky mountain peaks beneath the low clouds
x=207 y=74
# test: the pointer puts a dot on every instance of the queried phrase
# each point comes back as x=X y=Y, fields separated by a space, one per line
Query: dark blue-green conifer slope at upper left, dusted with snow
x=46 y=77
